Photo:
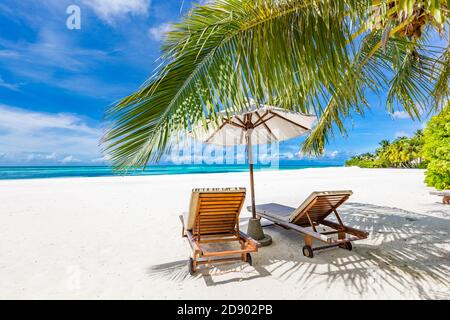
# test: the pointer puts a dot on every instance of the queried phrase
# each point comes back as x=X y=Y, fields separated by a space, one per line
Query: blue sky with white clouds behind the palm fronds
x=56 y=83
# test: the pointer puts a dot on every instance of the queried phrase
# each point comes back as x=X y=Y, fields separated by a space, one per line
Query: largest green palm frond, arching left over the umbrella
x=226 y=52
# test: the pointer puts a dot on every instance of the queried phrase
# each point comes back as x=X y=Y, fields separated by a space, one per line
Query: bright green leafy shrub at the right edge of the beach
x=437 y=150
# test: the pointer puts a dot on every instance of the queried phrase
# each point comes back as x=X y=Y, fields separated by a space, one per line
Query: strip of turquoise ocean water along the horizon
x=12 y=173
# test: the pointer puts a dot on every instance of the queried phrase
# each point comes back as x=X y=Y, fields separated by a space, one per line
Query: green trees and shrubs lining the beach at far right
x=426 y=149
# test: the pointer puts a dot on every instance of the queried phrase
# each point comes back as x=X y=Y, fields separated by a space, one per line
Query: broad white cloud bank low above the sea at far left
x=37 y=136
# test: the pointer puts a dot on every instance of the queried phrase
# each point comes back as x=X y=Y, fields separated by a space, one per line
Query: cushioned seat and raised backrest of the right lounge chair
x=318 y=205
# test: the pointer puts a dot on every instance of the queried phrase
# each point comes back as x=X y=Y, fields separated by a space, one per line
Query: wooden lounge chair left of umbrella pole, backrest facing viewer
x=213 y=219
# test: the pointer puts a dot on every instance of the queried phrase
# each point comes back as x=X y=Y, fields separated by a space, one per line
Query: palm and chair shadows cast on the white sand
x=405 y=252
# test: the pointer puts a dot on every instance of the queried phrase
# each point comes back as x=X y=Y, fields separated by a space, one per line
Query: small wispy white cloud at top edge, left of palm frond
x=111 y=10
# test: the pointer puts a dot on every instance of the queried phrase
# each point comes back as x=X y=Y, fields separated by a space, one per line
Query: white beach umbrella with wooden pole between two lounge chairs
x=256 y=125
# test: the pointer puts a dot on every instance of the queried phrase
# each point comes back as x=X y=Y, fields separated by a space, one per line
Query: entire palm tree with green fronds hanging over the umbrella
x=321 y=56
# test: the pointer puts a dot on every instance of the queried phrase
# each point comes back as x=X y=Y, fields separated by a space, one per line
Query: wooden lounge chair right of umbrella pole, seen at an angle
x=312 y=216
